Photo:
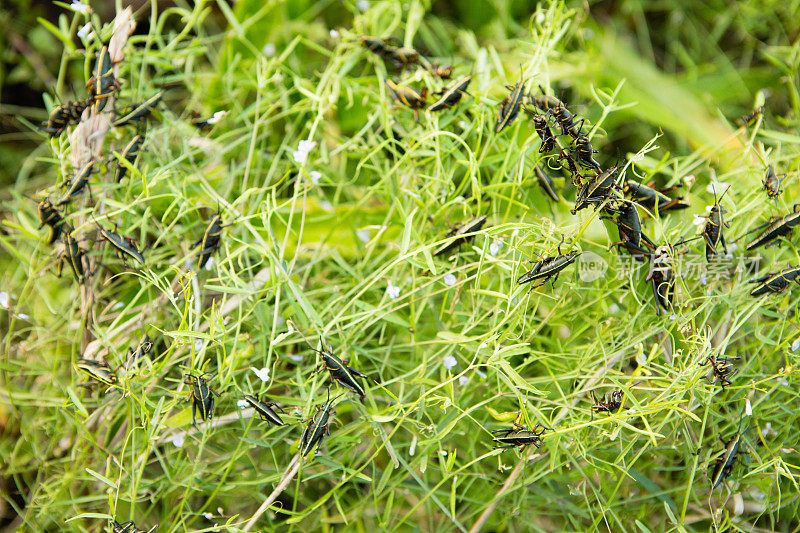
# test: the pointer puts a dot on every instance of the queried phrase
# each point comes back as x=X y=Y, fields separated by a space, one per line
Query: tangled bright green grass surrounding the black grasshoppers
x=307 y=259
